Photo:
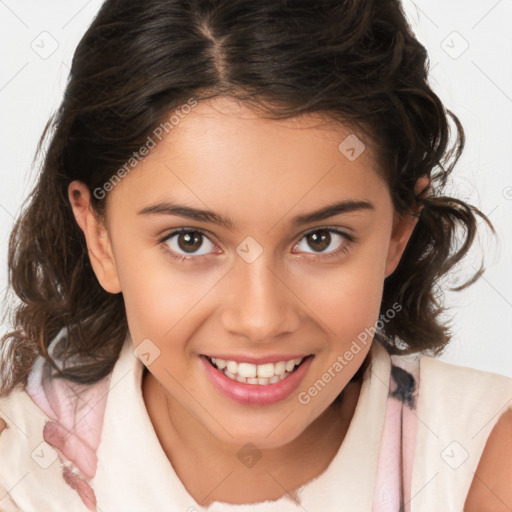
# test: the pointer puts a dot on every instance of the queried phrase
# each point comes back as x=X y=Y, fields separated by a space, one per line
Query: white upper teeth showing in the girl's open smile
x=262 y=374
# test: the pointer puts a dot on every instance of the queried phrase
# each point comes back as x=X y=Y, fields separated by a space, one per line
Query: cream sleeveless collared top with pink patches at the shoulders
x=415 y=439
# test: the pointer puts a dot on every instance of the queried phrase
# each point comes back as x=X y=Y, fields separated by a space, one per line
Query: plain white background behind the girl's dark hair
x=470 y=48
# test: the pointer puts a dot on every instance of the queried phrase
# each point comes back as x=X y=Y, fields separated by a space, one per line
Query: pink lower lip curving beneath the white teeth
x=255 y=394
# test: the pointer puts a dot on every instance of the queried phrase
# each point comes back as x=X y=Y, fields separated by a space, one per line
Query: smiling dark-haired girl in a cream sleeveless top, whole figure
x=229 y=275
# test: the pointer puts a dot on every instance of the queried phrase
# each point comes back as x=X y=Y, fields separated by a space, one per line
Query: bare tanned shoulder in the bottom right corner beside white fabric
x=491 y=489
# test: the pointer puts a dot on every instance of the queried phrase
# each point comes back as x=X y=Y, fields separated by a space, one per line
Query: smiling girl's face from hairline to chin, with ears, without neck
x=268 y=285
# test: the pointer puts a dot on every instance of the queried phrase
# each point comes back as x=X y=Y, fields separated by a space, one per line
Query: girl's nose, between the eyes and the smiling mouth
x=258 y=303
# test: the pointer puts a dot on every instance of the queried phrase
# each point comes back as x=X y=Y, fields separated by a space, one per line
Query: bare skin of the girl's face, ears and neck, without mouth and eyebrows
x=291 y=299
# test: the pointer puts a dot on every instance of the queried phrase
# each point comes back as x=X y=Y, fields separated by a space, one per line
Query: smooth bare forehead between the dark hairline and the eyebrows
x=223 y=153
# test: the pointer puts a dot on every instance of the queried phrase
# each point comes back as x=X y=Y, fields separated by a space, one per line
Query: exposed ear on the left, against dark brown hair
x=96 y=237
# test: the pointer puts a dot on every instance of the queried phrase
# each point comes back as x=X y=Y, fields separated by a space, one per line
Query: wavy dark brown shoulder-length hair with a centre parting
x=355 y=61
